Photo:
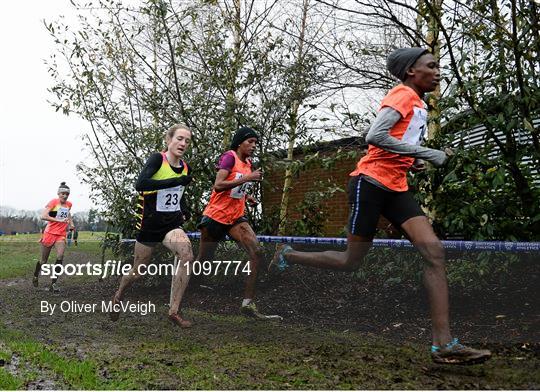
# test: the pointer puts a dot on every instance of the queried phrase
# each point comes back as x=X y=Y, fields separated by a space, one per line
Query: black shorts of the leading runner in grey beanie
x=368 y=202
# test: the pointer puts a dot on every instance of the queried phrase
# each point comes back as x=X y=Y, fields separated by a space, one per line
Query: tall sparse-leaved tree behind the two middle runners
x=133 y=71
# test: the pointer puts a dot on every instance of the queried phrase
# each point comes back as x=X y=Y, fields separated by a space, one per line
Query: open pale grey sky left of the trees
x=39 y=147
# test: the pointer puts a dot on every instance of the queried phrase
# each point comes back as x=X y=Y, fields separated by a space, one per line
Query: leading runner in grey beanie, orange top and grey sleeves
x=378 y=186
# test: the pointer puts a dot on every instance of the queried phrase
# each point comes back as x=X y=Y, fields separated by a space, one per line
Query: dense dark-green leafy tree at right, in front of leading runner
x=490 y=191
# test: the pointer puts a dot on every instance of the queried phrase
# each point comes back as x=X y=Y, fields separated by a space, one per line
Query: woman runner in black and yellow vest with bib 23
x=162 y=211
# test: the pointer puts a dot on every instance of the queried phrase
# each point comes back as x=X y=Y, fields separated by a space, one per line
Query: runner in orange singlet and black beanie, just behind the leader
x=224 y=214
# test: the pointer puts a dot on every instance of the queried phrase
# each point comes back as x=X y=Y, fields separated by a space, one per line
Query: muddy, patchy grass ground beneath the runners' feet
x=337 y=333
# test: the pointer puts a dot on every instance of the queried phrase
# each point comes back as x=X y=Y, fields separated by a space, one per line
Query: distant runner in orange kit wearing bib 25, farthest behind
x=58 y=217
